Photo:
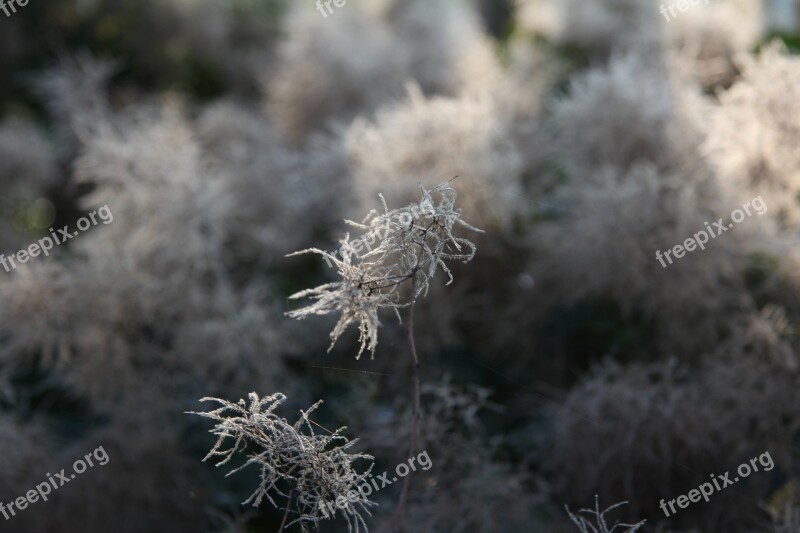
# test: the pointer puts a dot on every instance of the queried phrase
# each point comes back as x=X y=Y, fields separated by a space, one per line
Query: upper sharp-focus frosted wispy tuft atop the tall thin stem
x=409 y=244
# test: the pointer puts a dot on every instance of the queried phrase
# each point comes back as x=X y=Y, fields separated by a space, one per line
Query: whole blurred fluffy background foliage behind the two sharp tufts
x=225 y=135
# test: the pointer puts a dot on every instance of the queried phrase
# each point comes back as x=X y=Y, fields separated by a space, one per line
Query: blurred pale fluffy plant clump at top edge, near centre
x=319 y=81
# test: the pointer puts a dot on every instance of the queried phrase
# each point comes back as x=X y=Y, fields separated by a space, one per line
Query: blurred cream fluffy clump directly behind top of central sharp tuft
x=421 y=137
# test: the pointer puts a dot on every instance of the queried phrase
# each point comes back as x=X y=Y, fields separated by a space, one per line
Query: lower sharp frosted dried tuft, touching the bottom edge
x=315 y=468
